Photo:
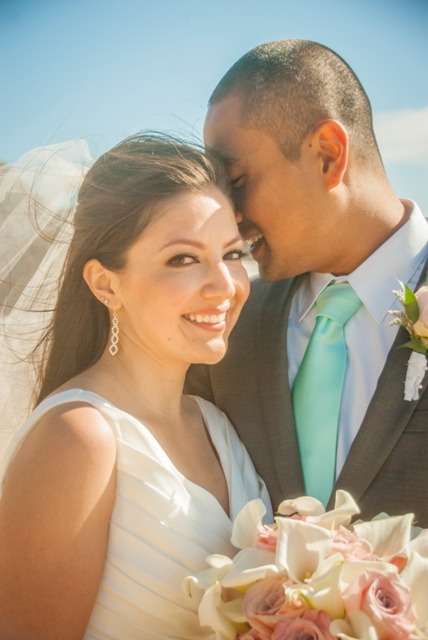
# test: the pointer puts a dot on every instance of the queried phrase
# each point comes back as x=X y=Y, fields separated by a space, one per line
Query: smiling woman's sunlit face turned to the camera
x=184 y=286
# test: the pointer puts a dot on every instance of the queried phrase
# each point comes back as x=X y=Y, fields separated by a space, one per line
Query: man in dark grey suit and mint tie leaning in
x=294 y=126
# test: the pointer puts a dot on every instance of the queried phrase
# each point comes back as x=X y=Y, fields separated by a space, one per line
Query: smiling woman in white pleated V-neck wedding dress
x=117 y=486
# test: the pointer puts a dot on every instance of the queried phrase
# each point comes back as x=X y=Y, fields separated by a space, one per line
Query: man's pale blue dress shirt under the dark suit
x=369 y=335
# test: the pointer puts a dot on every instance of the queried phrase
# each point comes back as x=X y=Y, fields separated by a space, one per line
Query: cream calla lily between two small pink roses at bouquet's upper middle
x=300 y=547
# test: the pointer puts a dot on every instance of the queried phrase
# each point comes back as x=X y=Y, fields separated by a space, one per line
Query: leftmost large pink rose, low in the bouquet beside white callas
x=263 y=601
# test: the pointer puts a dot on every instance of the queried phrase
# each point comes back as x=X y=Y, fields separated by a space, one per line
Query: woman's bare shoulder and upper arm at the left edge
x=55 y=508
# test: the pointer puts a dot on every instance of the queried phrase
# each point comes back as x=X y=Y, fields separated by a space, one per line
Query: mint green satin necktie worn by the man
x=317 y=389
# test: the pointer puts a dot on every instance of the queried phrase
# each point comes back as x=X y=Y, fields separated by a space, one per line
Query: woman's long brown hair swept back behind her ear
x=119 y=197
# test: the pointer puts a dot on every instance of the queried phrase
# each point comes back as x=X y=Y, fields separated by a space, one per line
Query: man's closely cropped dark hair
x=287 y=87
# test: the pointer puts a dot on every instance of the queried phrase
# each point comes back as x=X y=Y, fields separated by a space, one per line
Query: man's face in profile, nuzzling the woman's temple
x=274 y=197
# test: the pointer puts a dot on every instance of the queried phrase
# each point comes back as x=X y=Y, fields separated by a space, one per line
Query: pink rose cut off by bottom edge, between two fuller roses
x=306 y=624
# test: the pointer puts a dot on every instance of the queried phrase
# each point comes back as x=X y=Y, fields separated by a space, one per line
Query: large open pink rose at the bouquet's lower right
x=385 y=599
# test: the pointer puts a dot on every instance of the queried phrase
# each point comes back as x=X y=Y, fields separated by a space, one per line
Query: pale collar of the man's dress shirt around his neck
x=397 y=259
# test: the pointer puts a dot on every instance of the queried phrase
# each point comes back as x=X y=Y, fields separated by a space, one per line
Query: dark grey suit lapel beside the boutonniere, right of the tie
x=385 y=420
